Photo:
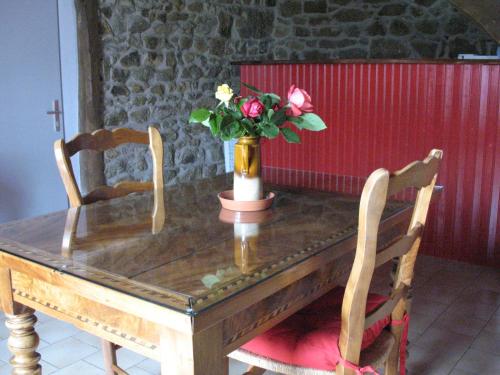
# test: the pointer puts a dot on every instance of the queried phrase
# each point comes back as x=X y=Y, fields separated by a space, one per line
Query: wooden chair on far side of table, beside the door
x=101 y=140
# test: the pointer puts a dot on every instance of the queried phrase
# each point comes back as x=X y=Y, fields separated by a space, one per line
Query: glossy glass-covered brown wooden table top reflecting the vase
x=201 y=254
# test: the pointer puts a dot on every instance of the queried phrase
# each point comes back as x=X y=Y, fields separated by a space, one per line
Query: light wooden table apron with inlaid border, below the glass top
x=183 y=343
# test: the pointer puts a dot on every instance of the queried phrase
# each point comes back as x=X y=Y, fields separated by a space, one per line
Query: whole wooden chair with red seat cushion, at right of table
x=388 y=347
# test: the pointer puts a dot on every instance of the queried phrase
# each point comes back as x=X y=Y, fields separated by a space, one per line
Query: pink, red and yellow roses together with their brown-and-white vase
x=250 y=118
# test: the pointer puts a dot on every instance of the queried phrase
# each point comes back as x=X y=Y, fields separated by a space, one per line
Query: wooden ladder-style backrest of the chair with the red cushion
x=379 y=186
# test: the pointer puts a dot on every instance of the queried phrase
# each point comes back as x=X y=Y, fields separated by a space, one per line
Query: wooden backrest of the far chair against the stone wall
x=102 y=140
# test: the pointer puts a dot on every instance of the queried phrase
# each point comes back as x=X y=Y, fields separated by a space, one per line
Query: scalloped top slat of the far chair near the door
x=103 y=139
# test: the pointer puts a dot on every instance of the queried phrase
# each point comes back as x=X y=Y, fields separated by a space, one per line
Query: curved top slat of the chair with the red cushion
x=417 y=174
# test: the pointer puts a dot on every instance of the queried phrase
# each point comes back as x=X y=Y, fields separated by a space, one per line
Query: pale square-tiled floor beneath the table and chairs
x=454 y=328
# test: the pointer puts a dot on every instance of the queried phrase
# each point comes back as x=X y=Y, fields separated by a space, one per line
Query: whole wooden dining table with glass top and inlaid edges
x=188 y=294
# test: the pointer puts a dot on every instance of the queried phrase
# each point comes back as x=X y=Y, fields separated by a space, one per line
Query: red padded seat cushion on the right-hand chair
x=309 y=337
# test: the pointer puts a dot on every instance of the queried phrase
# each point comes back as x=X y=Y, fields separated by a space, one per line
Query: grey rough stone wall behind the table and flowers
x=163 y=58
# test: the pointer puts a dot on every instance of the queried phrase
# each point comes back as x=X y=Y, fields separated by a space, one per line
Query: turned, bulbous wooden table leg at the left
x=22 y=342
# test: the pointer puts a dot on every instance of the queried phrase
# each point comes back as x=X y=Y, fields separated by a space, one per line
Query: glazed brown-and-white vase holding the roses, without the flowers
x=247 y=183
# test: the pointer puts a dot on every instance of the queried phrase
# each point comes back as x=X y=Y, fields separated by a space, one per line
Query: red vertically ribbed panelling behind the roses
x=388 y=114
